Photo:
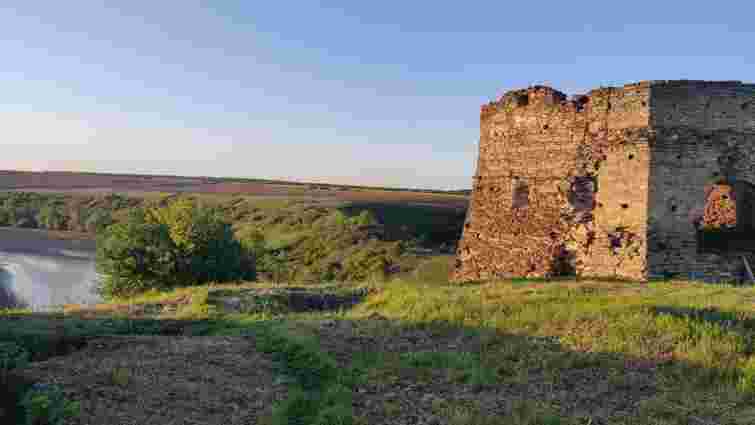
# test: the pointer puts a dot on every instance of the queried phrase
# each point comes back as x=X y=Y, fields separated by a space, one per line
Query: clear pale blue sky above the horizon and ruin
x=363 y=92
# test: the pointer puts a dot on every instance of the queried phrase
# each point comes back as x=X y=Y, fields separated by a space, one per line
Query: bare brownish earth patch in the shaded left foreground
x=166 y=380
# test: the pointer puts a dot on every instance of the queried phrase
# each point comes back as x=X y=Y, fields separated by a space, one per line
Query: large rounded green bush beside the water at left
x=181 y=244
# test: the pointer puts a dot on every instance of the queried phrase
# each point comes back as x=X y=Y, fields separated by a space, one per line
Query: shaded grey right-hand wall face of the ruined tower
x=703 y=149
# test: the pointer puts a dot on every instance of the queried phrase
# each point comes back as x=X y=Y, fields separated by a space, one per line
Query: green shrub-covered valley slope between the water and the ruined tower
x=289 y=241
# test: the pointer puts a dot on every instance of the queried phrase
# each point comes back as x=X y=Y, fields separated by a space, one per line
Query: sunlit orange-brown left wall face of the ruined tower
x=561 y=186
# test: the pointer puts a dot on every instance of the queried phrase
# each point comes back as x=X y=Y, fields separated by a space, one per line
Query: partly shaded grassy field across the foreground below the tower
x=412 y=351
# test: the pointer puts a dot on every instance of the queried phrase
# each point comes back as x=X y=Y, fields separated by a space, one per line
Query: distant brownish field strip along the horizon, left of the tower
x=136 y=185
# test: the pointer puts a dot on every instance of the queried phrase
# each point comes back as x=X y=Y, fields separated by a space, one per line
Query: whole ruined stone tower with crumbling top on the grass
x=653 y=178
